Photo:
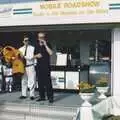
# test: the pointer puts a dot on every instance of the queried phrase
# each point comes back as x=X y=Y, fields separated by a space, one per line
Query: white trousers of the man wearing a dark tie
x=29 y=81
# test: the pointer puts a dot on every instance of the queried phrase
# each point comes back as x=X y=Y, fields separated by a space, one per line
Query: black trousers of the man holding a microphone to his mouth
x=44 y=84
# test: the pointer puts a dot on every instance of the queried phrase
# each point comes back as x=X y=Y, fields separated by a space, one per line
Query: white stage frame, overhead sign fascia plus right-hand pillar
x=67 y=15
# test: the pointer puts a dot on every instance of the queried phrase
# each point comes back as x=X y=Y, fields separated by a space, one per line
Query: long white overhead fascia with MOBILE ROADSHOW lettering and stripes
x=60 y=12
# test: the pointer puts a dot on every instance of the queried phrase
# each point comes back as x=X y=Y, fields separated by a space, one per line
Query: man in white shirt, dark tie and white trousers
x=29 y=77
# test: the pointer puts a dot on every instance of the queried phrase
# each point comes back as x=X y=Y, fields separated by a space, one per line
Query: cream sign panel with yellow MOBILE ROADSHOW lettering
x=70 y=8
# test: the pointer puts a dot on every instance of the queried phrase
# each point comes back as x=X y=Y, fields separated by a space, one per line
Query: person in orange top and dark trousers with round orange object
x=13 y=58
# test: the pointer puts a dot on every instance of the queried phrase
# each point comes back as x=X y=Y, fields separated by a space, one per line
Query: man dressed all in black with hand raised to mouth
x=43 y=52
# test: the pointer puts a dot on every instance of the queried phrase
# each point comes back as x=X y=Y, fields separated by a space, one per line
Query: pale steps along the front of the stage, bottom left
x=11 y=111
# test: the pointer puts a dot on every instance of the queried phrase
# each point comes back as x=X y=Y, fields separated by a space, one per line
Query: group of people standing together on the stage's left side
x=27 y=64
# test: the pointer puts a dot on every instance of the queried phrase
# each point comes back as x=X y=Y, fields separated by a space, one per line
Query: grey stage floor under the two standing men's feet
x=60 y=99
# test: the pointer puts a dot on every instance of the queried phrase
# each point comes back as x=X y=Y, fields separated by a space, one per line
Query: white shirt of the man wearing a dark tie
x=29 y=54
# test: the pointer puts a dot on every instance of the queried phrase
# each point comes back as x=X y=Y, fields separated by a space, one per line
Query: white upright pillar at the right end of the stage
x=115 y=62
